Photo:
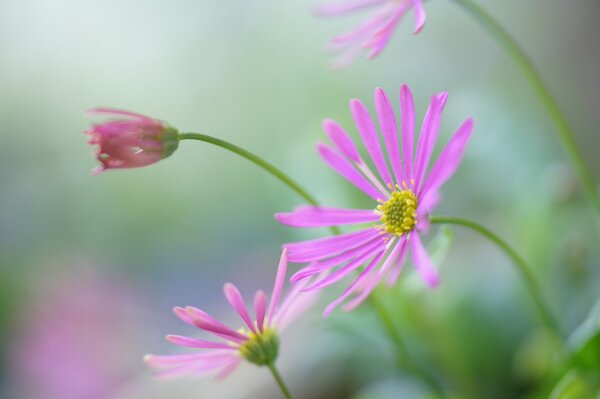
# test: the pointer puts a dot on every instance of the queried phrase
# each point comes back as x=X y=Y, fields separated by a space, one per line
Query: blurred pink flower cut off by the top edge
x=374 y=33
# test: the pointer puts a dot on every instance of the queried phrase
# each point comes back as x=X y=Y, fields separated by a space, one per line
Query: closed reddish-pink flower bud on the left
x=131 y=141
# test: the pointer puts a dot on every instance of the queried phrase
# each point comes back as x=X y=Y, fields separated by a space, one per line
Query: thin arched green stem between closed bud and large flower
x=270 y=168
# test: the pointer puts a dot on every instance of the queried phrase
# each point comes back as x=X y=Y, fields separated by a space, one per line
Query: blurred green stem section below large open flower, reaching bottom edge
x=404 y=356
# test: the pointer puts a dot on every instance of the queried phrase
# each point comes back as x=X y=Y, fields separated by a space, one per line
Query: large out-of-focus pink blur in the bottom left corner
x=77 y=338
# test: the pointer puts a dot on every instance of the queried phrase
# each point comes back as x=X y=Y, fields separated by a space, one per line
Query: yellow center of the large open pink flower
x=399 y=212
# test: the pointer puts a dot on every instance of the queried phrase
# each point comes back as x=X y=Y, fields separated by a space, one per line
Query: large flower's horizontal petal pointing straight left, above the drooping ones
x=313 y=216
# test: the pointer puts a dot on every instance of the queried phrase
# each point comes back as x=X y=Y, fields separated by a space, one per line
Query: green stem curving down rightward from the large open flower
x=530 y=282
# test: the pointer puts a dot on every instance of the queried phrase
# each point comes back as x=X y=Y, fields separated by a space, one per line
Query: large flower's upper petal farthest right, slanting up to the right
x=449 y=159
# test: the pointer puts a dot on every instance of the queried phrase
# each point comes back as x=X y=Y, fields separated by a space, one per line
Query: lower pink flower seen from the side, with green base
x=257 y=342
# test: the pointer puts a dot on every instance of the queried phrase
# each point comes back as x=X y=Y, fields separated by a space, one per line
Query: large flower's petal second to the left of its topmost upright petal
x=368 y=132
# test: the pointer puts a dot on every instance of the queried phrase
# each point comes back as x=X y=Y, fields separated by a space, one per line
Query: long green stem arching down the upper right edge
x=559 y=120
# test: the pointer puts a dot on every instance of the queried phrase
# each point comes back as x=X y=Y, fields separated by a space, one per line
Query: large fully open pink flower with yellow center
x=404 y=198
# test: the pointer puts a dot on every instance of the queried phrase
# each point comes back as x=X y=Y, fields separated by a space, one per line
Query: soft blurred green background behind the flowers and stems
x=91 y=266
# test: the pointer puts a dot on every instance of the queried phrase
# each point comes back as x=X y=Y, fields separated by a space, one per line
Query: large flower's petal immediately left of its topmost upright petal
x=387 y=122
